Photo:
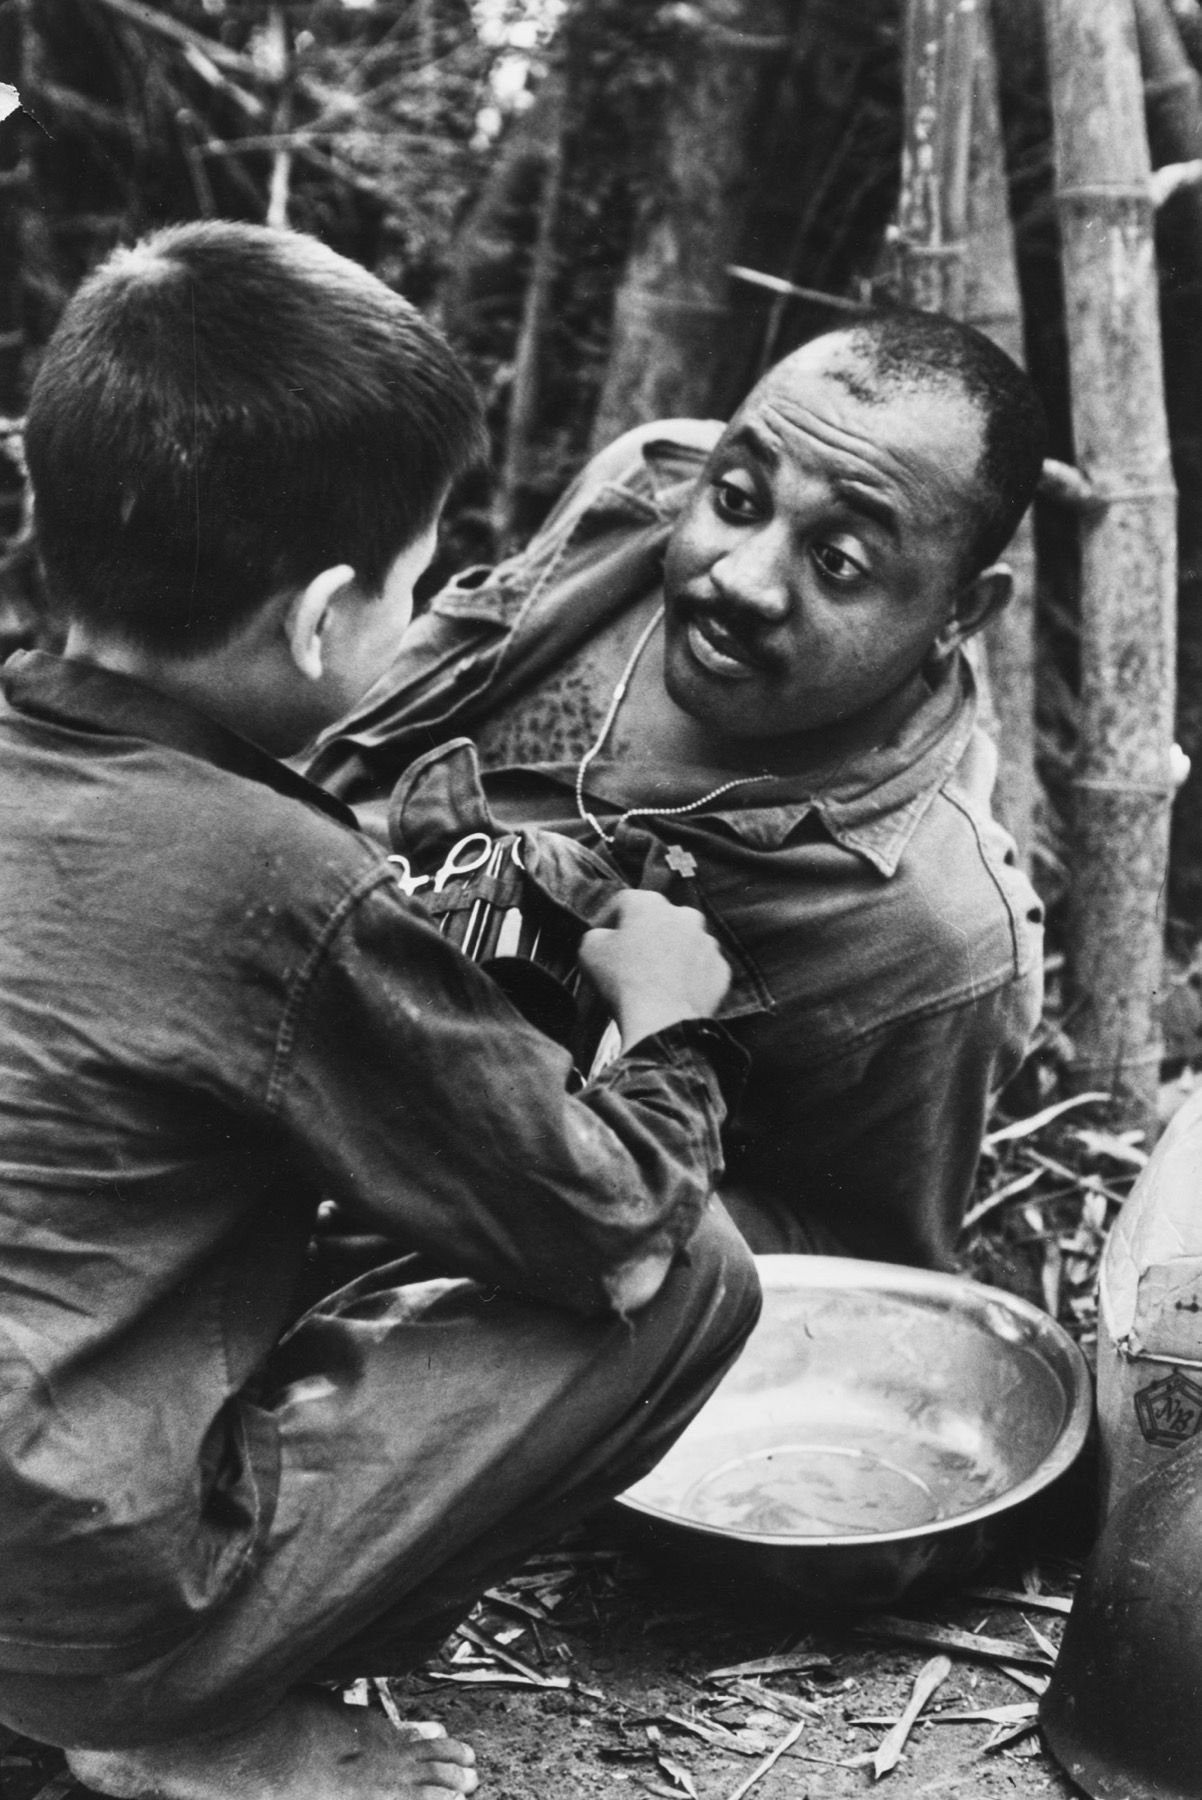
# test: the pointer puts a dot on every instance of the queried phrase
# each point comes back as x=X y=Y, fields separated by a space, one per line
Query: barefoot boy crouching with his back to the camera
x=217 y=1007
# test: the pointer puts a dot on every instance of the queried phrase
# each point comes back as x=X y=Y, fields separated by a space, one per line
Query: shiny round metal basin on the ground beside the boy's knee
x=879 y=1426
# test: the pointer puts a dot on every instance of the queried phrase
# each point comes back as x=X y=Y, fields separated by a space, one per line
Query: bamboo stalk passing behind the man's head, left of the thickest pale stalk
x=994 y=305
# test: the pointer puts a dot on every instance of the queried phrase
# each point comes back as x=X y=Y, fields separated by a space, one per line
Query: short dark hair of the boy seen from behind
x=224 y=413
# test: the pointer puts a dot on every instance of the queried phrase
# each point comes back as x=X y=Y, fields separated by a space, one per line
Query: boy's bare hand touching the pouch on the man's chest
x=656 y=964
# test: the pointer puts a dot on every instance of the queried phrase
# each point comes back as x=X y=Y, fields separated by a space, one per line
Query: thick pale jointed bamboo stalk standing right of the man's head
x=1129 y=570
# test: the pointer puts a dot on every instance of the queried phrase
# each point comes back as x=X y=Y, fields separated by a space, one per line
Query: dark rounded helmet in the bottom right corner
x=1124 y=1709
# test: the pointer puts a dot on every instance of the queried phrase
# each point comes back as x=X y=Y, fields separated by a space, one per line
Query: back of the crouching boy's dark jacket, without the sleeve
x=159 y=912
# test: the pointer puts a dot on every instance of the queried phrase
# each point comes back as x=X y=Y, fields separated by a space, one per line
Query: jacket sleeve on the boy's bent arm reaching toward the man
x=438 y=1117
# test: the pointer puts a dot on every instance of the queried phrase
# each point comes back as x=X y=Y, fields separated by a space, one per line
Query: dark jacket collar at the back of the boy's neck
x=87 y=697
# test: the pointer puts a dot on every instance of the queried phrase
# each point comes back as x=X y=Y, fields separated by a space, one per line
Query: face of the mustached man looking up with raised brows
x=821 y=553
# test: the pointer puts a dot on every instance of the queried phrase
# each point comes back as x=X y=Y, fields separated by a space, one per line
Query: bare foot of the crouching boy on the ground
x=310 y=1749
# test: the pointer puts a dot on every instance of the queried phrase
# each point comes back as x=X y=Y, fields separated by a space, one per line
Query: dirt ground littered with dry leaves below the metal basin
x=636 y=1639
